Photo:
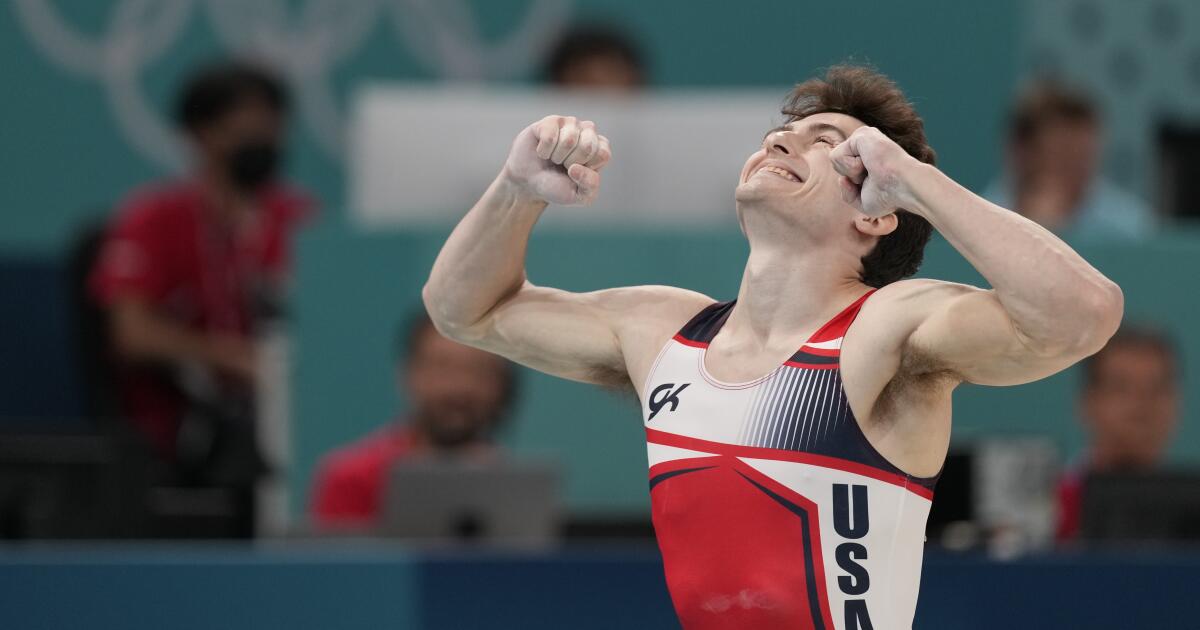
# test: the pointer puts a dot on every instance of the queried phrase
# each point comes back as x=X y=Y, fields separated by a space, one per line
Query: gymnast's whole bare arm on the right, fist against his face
x=1049 y=308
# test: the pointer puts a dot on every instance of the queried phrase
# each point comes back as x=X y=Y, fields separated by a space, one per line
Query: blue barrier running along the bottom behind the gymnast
x=375 y=586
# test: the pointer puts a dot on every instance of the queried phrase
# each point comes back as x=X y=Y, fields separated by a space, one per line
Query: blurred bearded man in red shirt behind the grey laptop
x=458 y=398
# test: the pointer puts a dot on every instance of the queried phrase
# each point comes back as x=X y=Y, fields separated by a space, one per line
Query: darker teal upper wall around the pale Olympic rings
x=64 y=158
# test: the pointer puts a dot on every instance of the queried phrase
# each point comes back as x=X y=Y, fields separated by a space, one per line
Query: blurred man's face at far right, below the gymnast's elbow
x=1132 y=409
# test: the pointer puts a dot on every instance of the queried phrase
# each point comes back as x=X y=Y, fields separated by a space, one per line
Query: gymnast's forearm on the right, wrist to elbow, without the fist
x=1053 y=296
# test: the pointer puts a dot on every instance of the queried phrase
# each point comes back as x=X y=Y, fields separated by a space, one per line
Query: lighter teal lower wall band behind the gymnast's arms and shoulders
x=353 y=289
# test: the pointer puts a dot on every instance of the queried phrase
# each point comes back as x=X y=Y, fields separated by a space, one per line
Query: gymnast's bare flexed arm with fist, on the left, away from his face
x=478 y=292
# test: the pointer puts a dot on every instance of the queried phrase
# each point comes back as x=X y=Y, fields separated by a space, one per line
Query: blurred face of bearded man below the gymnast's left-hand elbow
x=457 y=392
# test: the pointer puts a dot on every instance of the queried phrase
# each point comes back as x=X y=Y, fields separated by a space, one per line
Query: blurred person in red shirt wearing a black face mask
x=189 y=271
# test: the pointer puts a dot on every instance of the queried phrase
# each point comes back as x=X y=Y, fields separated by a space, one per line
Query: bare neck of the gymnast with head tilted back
x=785 y=293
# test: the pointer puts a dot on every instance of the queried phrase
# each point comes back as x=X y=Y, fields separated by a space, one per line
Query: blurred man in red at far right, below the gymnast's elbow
x=1130 y=407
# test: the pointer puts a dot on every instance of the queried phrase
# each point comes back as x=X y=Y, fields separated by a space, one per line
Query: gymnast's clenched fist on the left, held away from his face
x=559 y=160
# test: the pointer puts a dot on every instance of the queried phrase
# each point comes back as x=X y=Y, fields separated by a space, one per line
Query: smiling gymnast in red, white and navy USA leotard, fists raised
x=795 y=434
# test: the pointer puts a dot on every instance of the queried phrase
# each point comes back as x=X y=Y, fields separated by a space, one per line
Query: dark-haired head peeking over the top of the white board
x=596 y=57
